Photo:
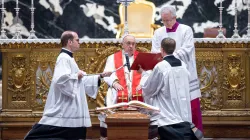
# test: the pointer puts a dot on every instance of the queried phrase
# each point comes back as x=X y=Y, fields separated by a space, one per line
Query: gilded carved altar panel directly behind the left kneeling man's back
x=42 y=67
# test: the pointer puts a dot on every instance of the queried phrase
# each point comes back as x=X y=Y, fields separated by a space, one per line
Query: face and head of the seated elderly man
x=128 y=45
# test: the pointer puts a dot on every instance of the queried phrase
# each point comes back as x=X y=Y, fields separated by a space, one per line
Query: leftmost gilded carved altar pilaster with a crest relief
x=19 y=80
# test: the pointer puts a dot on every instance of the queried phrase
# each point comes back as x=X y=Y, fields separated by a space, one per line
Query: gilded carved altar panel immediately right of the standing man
x=209 y=67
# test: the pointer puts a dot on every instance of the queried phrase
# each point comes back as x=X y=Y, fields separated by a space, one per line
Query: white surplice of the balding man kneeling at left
x=66 y=104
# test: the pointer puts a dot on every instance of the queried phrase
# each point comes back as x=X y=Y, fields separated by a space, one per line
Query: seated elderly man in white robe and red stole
x=124 y=86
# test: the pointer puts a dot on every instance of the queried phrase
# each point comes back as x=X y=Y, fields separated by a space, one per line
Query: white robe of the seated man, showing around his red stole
x=111 y=97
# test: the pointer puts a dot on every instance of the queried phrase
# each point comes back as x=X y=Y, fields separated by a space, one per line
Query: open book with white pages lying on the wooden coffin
x=135 y=104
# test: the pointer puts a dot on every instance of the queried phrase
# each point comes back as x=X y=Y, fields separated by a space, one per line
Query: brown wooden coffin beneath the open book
x=126 y=124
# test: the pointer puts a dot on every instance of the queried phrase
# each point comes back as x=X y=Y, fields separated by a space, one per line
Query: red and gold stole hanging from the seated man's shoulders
x=123 y=95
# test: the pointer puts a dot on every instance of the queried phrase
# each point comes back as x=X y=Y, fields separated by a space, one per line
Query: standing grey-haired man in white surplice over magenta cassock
x=185 y=50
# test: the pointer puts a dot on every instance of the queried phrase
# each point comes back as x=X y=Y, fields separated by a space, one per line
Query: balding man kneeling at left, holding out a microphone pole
x=66 y=113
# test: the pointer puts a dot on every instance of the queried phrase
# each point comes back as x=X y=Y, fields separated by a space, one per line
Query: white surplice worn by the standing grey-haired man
x=185 y=51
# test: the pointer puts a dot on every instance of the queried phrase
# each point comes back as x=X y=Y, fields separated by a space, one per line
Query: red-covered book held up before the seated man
x=147 y=61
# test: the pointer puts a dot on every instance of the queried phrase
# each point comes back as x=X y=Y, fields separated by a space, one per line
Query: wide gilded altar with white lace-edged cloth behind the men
x=223 y=67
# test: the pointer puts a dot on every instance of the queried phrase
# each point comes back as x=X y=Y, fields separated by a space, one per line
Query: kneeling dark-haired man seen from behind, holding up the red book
x=167 y=87
